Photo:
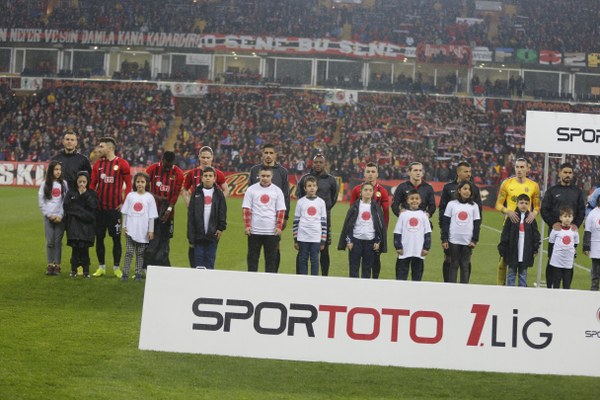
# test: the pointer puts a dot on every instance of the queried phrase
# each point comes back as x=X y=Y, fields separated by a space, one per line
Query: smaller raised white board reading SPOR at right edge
x=562 y=133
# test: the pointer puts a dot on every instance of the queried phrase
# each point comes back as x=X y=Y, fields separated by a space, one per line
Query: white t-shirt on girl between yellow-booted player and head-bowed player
x=139 y=210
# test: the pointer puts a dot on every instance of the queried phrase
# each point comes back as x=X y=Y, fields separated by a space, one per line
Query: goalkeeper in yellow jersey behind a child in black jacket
x=506 y=203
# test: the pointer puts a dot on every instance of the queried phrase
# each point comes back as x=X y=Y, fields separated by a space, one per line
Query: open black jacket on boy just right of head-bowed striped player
x=218 y=216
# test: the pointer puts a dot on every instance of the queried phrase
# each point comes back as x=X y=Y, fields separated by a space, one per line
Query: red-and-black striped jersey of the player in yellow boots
x=107 y=180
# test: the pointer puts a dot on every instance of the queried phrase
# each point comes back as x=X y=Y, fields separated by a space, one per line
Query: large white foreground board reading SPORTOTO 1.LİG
x=382 y=322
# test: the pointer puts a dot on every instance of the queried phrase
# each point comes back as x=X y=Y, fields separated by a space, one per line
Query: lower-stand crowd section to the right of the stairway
x=392 y=130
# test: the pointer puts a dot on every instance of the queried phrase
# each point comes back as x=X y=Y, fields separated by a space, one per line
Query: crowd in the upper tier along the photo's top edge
x=567 y=25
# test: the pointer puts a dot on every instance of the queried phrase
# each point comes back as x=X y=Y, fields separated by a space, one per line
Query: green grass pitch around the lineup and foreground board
x=72 y=339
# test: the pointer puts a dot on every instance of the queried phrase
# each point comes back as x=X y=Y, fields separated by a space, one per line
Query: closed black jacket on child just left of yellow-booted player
x=80 y=216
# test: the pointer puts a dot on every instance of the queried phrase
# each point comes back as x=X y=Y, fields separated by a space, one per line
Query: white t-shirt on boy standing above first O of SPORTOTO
x=263 y=202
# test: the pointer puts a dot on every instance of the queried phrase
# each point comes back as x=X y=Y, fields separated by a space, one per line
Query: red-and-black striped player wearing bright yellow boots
x=110 y=174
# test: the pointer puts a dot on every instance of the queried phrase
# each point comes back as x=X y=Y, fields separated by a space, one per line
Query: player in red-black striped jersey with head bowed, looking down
x=165 y=185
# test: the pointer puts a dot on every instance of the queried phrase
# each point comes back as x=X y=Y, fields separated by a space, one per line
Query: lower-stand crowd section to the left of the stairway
x=32 y=126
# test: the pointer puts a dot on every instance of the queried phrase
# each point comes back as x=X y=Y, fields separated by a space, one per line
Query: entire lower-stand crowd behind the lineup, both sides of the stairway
x=390 y=129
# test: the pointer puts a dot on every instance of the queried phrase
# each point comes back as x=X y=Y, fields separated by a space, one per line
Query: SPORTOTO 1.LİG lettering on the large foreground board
x=366 y=323
